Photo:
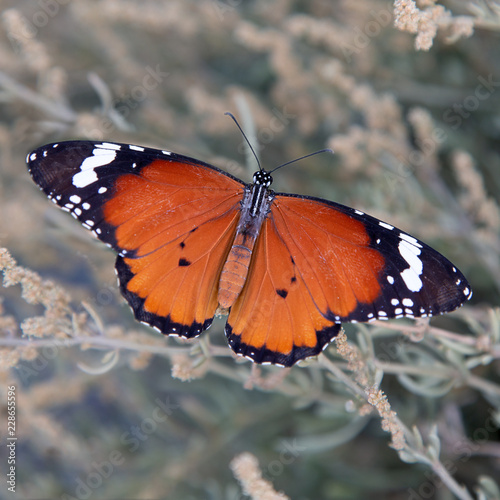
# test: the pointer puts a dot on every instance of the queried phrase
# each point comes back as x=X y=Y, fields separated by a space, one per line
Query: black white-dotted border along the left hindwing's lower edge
x=163 y=324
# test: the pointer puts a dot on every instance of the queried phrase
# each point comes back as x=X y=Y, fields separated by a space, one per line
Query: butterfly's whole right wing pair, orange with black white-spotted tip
x=317 y=264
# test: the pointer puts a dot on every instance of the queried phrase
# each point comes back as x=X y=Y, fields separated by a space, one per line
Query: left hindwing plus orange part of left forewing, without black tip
x=174 y=247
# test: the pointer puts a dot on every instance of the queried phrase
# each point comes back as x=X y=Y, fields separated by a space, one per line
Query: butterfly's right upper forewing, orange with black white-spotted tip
x=359 y=268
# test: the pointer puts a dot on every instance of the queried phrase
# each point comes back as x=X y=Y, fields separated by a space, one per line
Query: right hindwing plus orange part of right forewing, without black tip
x=299 y=285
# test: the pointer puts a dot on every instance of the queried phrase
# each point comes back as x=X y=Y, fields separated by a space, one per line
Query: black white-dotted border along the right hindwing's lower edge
x=262 y=355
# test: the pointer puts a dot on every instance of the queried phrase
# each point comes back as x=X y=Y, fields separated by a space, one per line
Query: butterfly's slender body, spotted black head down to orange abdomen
x=254 y=208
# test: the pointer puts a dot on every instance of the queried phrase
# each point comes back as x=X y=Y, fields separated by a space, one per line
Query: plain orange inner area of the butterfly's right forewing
x=332 y=251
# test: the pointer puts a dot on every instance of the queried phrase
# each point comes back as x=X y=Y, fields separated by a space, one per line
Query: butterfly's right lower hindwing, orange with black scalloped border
x=275 y=319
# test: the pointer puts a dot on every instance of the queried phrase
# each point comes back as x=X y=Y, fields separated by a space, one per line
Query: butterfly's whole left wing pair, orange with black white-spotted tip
x=171 y=219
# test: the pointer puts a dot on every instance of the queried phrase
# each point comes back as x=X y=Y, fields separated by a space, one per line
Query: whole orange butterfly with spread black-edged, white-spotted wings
x=194 y=241
